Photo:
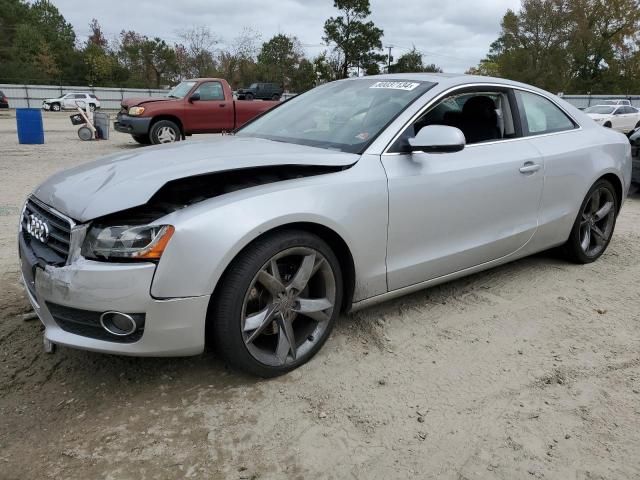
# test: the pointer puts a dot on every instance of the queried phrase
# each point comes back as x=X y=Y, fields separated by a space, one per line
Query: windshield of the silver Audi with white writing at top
x=346 y=115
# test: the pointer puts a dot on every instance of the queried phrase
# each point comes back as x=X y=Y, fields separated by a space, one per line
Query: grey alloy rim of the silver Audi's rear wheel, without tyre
x=597 y=221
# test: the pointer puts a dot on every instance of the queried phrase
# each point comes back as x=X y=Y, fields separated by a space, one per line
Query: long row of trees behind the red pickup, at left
x=38 y=45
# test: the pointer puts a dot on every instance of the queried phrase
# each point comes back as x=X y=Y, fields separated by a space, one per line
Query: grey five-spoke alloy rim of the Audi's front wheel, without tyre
x=288 y=306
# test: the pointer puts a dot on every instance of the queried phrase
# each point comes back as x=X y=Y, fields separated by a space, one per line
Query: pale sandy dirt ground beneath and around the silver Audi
x=528 y=371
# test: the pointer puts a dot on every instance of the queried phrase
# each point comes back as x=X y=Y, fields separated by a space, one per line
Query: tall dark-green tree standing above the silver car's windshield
x=356 y=39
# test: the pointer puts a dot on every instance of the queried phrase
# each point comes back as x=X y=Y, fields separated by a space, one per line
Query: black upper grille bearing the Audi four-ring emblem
x=53 y=247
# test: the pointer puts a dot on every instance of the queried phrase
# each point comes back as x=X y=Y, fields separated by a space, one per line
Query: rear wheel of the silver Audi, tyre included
x=593 y=229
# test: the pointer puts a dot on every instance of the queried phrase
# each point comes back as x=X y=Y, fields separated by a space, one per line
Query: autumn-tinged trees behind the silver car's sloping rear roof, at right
x=571 y=46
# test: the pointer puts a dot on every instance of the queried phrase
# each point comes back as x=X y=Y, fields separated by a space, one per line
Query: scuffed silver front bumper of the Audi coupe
x=70 y=300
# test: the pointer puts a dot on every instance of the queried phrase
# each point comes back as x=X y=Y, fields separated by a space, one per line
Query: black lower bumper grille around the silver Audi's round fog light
x=87 y=323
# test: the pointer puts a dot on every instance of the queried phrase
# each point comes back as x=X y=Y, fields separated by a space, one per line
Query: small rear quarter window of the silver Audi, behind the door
x=540 y=115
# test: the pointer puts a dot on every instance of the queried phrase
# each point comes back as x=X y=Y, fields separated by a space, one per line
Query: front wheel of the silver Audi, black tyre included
x=277 y=303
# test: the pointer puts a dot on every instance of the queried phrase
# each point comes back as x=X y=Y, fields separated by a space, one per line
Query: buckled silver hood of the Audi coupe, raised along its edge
x=126 y=180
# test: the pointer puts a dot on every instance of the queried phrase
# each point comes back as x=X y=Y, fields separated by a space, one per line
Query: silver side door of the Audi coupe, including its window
x=452 y=211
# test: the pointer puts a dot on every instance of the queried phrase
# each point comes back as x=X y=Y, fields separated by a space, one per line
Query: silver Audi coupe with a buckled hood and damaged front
x=355 y=192
